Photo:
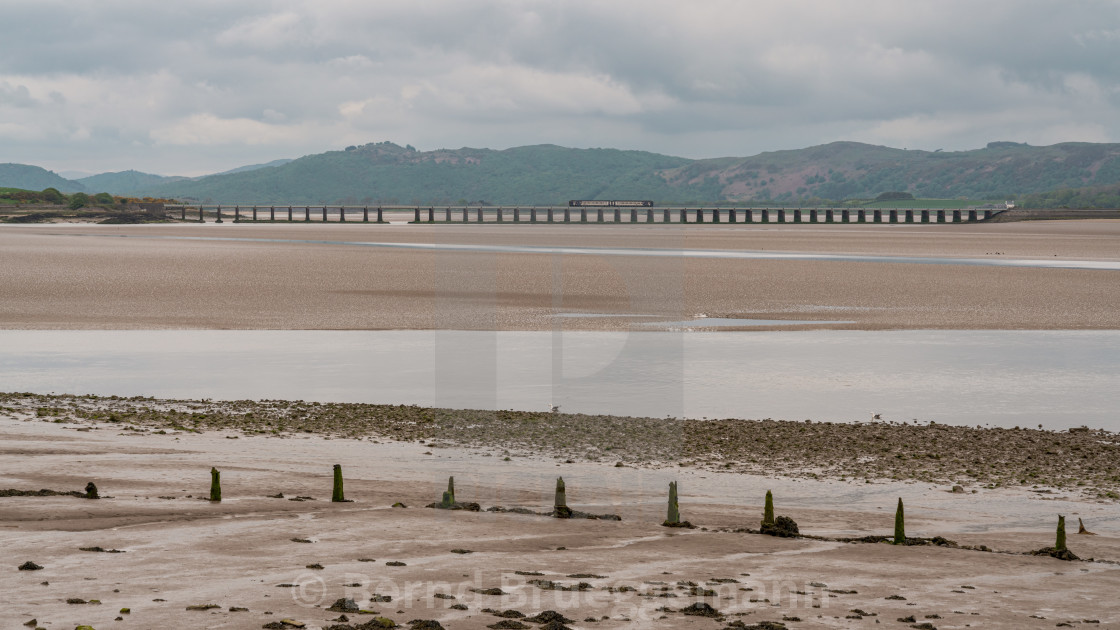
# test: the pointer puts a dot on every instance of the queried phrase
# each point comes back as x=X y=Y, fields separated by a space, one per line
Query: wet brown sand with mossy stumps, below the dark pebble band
x=182 y=551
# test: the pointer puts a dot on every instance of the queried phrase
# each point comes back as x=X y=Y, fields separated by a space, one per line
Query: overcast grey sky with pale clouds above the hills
x=188 y=88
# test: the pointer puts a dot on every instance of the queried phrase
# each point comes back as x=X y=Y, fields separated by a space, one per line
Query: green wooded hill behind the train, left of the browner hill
x=387 y=173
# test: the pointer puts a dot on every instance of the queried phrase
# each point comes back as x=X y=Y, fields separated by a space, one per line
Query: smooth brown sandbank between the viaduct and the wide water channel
x=81 y=276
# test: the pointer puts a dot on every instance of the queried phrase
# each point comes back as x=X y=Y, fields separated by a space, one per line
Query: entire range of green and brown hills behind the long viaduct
x=547 y=174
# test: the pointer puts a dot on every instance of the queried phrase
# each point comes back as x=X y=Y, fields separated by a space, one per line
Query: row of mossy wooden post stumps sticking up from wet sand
x=773 y=526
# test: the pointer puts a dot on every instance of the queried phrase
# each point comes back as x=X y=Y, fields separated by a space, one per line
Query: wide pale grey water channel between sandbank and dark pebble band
x=1001 y=378
